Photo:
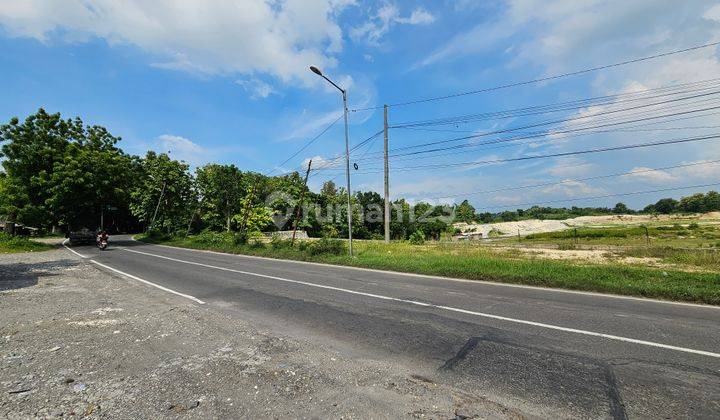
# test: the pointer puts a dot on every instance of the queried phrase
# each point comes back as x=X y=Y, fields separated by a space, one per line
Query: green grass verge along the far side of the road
x=476 y=263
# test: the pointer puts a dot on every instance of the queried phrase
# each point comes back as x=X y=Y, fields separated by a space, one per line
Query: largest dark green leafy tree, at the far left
x=63 y=172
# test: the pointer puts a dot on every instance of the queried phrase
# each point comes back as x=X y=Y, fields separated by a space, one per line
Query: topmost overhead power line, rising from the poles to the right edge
x=544 y=79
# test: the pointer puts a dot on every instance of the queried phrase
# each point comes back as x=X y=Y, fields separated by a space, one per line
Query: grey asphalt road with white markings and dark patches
x=544 y=352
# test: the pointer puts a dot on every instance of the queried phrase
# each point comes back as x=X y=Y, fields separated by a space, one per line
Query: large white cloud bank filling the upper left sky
x=209 y=37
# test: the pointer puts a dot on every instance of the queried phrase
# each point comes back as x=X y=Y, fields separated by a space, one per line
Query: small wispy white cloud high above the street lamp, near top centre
x=386 y=17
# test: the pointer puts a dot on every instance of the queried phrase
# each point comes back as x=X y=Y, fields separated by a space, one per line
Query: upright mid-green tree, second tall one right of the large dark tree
x=221 y=188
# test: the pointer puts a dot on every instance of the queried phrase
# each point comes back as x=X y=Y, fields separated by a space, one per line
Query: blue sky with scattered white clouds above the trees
x=227 y=81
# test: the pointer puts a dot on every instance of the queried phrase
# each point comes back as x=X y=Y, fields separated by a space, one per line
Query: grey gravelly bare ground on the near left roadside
x=76 y=342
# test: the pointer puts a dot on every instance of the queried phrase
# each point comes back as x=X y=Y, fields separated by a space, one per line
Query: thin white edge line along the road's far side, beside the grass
x=428 y=276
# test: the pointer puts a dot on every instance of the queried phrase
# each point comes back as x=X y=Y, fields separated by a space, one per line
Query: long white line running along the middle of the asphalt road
x=447 y=308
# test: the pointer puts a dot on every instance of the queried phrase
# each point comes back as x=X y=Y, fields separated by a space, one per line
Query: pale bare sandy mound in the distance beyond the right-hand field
x=527 y=227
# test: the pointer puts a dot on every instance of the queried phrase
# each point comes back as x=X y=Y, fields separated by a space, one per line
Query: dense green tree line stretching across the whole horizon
x=63 y=174
